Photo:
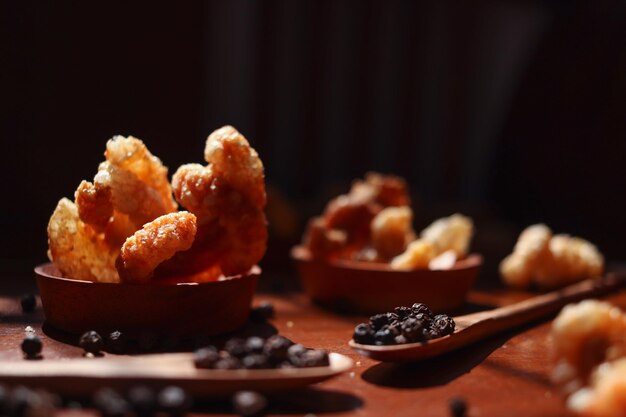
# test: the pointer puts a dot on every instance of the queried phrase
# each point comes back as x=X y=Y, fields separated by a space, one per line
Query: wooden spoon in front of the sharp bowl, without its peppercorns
x=83 y=376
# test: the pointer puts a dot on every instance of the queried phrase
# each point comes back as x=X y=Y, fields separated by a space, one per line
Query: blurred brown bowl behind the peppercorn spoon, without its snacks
x=375 y=288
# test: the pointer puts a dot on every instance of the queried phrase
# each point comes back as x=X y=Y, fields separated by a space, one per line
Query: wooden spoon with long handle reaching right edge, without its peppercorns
x=471 y=328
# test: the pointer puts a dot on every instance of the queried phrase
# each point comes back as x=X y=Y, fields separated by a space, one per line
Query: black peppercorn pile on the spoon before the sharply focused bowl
x=258 y=353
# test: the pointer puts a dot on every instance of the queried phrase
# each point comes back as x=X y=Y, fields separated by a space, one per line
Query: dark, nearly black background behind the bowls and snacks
x=512 y=112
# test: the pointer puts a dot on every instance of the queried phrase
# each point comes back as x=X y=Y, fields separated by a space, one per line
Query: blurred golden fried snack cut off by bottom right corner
x=606 y=394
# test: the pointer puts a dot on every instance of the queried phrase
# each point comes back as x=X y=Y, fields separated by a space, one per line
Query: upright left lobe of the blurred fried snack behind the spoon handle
x=532 y=248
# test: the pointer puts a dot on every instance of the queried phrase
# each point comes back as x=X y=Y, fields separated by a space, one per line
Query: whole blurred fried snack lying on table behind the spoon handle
x=550 y=261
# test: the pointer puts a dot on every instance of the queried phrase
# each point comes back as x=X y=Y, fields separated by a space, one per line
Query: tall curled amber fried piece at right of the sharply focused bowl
x=228 y=197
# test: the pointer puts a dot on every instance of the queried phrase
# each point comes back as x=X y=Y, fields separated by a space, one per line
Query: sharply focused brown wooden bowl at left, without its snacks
x=188 y=309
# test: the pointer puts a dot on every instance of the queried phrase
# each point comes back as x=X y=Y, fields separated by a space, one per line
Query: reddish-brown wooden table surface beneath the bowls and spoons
x=507 y=374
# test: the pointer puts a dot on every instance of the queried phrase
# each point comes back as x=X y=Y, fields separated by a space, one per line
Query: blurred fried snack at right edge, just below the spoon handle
x=585 y=335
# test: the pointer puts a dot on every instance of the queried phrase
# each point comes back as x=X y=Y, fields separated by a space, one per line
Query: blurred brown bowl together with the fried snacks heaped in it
x=362 y=254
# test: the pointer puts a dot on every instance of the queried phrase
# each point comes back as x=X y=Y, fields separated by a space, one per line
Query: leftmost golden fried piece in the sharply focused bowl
x=77 y=249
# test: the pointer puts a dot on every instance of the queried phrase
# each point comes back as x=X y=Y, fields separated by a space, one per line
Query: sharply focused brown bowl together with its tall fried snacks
x=125 y=258
